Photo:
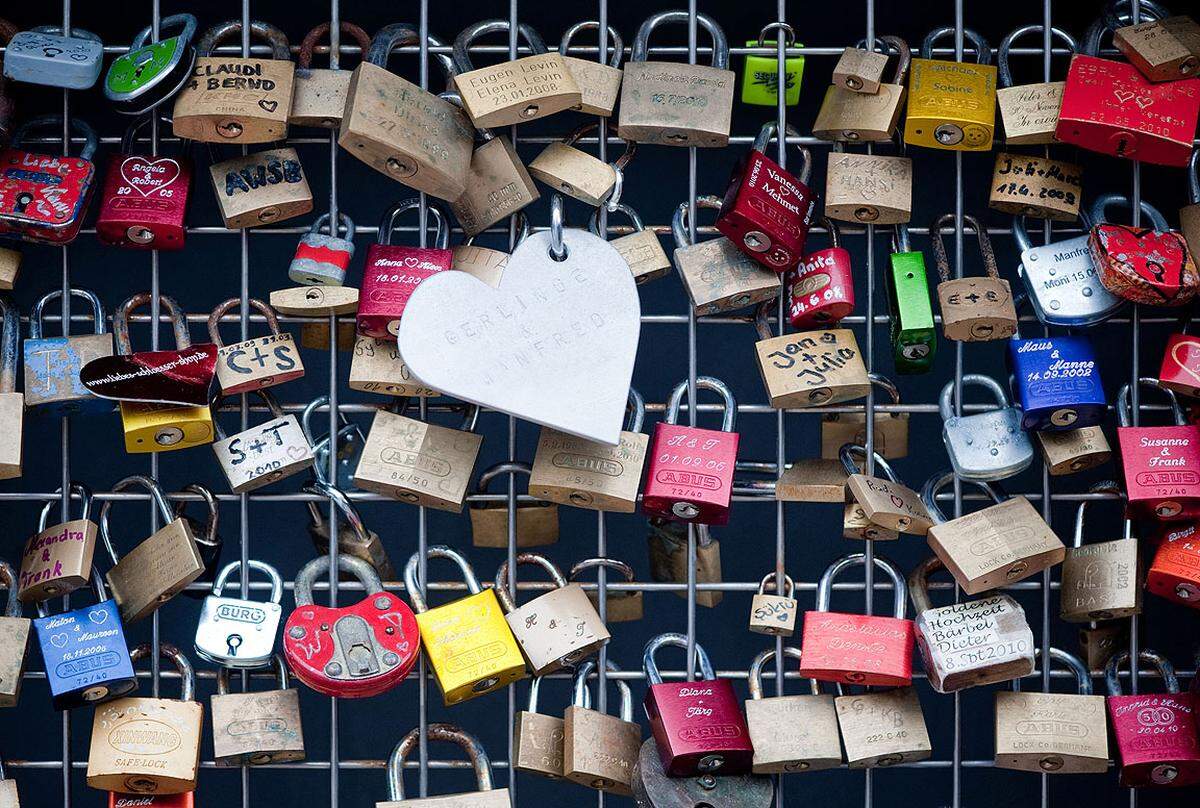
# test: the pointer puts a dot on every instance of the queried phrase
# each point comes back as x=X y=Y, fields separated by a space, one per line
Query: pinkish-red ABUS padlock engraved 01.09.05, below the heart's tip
x=691 y=475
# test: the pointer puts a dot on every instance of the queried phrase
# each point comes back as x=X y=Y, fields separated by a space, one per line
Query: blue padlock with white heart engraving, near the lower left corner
x=86 y=654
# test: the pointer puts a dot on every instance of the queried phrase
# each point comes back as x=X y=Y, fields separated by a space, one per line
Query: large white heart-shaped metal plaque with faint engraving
x=555 y=344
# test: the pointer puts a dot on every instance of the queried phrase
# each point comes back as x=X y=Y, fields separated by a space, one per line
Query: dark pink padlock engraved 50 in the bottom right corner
x=1171 y=756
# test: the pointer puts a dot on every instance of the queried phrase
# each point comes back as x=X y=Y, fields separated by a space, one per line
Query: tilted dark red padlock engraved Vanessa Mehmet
x=767 y=211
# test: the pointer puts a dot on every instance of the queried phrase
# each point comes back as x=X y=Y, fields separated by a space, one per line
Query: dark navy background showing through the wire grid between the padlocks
x=208 y=272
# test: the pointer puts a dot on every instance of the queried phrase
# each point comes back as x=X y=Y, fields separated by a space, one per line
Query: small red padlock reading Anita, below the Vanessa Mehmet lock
x=821 y=290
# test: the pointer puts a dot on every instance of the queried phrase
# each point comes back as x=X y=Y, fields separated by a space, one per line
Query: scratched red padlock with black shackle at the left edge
x=44 y=197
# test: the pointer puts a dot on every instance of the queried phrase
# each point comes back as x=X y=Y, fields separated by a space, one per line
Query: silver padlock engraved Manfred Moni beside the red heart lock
x=1061 y=280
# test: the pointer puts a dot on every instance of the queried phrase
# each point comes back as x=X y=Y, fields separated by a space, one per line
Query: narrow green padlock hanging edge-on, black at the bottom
x=914 y=337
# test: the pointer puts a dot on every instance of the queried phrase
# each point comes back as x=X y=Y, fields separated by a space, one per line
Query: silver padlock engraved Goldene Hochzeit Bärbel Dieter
x=973 y=643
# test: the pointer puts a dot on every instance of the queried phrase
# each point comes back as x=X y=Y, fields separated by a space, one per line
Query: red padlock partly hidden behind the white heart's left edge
x=392 y=273
